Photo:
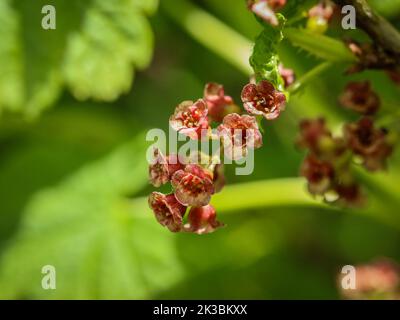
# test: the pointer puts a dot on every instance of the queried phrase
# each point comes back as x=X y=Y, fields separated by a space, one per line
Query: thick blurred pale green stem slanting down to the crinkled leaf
x=211 y=33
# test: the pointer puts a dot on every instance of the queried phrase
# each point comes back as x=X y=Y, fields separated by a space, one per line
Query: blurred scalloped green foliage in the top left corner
x=94 y=50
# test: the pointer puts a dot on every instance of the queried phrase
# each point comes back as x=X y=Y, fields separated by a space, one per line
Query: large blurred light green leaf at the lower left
x=102 y=244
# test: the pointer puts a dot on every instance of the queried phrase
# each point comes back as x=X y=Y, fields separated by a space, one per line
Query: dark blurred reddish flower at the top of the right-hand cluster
x=360 y=97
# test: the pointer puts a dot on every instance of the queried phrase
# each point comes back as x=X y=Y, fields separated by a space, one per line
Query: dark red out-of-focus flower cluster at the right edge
x=327 y=167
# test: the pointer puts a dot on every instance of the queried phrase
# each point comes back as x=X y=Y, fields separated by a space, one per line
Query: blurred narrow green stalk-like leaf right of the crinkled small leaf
x=319 y=45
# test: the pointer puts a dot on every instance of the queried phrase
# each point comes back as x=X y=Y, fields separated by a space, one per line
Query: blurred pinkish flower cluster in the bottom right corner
x=377 y=280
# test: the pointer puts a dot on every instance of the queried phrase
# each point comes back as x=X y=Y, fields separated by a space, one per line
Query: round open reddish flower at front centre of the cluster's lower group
x=193 y=186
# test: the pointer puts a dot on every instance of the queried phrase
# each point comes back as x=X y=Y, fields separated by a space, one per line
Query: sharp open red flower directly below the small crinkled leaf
x=263 y=99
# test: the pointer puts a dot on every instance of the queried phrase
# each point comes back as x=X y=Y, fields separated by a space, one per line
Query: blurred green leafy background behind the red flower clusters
x=75 y=105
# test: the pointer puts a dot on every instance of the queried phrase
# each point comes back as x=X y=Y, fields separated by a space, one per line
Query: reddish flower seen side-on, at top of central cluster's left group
x=219 y=105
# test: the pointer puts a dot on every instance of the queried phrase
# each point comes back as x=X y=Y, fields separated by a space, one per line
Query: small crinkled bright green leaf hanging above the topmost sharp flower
x=265 y=59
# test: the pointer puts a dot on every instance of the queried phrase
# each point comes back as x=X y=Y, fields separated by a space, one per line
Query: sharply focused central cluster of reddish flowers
x=194 y=179
